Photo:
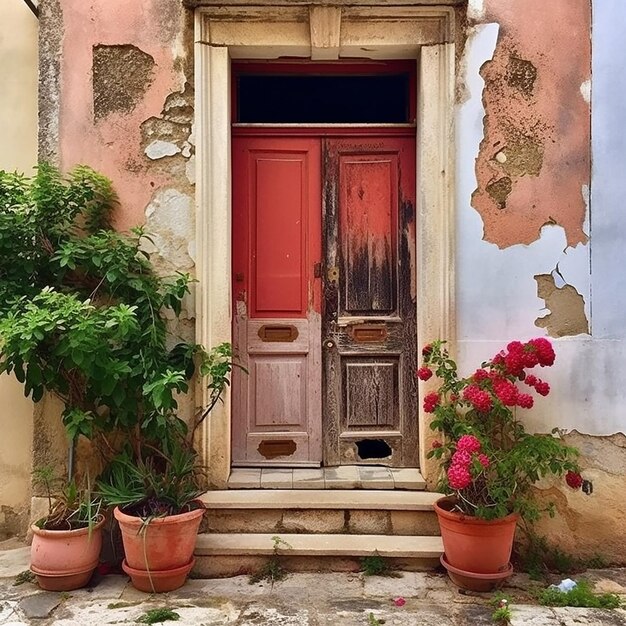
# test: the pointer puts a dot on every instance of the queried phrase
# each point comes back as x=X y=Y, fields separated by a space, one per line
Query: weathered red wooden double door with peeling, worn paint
x=324 y=300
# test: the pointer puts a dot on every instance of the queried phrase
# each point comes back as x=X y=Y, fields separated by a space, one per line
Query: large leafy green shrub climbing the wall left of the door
x=84 y=315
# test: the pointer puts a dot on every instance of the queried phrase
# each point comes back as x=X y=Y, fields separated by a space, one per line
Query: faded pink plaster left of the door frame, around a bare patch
x=112 y=145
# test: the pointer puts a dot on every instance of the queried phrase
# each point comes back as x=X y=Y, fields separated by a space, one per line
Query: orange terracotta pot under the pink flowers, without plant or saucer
x=475 y=545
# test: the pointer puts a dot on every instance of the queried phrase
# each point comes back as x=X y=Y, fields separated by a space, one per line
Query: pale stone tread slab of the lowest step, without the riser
x=399 y=546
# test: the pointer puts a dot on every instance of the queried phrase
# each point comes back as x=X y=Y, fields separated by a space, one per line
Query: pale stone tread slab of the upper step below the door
x=365 y=499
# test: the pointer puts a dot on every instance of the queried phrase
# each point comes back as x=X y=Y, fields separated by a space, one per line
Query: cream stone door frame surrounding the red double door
x=270 y=30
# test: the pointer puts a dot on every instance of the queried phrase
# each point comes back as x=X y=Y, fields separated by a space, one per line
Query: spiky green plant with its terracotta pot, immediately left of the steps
x=153 y=486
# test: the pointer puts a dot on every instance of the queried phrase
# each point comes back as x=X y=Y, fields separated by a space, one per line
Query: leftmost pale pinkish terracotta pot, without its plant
x=63 y=560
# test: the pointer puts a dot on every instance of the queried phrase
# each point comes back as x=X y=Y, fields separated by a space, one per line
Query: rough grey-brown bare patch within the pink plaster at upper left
x=121 y=77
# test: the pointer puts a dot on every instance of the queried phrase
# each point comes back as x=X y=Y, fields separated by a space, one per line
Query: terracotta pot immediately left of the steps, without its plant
x=157 y=546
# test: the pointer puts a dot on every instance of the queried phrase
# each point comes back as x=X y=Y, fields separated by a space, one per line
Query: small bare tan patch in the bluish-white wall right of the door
x=567 y=308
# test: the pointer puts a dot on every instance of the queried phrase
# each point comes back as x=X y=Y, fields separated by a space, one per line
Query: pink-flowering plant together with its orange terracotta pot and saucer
x=489 y=462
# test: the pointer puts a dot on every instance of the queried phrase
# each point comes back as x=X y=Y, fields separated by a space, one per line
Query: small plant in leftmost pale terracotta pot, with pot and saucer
x=66 y=542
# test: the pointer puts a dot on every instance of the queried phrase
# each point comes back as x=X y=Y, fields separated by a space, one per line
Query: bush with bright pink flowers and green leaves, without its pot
x=489 y=462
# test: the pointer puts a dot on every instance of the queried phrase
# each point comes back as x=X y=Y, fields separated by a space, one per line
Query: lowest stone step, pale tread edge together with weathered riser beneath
x=236 y=553
